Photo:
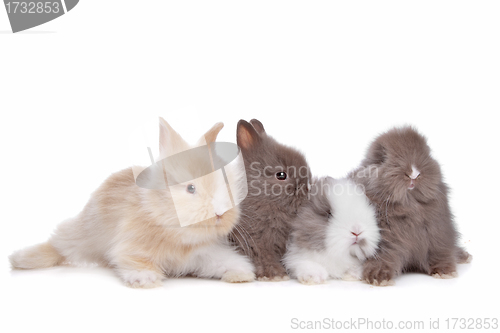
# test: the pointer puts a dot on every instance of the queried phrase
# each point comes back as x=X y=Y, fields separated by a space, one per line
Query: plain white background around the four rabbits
x=323 y=76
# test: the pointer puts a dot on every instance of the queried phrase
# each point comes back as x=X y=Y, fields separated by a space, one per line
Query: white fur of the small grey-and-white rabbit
x=340 y=259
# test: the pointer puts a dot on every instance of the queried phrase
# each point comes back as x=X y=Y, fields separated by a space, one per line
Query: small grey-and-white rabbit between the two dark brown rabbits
x=332 y=234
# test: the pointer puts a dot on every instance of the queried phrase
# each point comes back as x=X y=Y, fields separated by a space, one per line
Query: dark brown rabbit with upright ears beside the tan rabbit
x=278 y=180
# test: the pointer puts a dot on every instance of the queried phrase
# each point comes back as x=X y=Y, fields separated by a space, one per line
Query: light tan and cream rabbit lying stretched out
x=136 y=231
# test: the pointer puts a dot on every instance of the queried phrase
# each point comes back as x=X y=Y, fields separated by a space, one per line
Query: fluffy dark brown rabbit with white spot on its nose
x=405 y=183
